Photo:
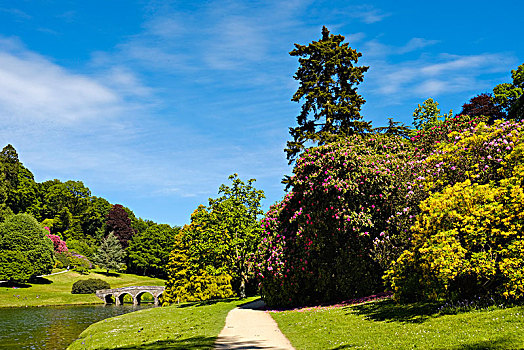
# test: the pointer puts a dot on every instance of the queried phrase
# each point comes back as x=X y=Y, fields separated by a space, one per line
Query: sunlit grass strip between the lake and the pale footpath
x=185 y=326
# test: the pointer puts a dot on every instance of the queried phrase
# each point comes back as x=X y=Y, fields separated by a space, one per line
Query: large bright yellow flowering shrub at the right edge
x=468 y=239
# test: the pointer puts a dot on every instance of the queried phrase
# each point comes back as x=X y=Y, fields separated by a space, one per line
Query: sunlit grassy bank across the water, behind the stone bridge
x=56 y=289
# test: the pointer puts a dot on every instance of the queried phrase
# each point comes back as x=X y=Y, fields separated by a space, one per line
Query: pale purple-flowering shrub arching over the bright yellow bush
x=474 y=153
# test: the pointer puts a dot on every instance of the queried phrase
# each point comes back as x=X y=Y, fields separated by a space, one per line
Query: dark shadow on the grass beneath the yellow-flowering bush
x=389 y=311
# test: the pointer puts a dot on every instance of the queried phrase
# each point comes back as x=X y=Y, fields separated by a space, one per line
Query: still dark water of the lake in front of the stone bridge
x=52 y=327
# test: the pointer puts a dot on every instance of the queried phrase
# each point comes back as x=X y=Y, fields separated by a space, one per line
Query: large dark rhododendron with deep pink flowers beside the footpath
x=318 y=242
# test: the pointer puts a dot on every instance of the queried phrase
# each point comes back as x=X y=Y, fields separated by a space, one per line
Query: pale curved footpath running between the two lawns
x=248 y=327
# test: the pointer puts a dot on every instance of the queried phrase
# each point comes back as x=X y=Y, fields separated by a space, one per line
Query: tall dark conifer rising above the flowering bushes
x=328 y=79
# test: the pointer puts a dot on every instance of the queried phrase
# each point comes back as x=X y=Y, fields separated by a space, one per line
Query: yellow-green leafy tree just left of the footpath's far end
x=222 y=237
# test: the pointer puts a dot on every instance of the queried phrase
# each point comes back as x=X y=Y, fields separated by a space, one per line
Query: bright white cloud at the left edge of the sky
x=34 y=88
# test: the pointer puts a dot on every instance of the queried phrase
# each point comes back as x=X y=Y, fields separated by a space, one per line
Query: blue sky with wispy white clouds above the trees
x=153 y=104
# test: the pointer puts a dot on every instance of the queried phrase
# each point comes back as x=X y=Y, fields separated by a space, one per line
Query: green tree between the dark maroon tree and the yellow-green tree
x=148 y=251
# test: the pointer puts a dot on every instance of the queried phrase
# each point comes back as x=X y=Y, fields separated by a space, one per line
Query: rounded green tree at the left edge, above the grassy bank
x=25 y=251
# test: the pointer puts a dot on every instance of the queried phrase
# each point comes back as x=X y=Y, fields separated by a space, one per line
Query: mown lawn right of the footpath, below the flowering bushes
x=386 y=325
